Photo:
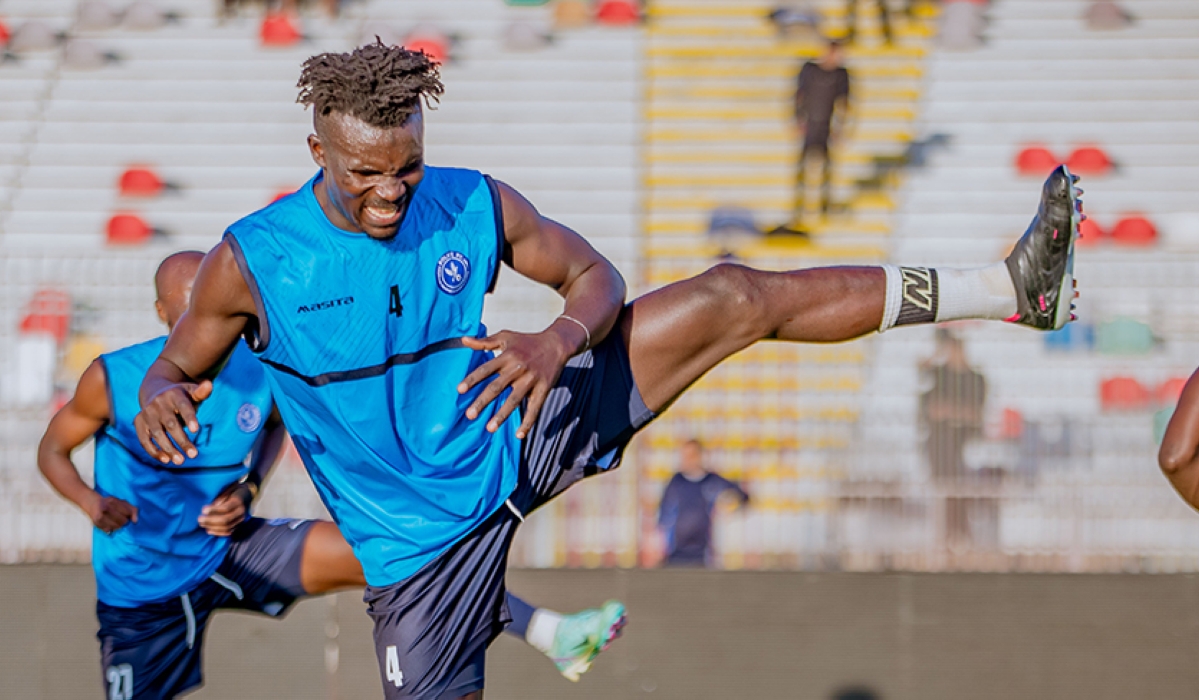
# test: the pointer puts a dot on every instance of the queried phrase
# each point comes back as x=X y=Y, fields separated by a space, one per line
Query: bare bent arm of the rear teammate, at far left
x=85 y=415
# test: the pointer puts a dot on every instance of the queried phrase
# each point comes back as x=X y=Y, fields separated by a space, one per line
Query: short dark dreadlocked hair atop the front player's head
x=378 y=85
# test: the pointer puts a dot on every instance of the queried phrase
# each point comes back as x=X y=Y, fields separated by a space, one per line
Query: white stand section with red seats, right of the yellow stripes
x=1100 y=505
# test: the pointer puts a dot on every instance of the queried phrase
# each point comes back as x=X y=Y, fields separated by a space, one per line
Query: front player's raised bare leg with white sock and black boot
x=678 y=334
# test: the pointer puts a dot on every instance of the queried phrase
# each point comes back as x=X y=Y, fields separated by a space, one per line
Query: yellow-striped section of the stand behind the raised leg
x=721 y=79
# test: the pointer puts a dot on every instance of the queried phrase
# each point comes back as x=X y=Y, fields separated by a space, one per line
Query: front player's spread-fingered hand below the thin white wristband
x=529 y=364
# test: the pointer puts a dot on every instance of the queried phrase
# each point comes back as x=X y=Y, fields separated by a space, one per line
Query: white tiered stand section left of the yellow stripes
x=213 y=112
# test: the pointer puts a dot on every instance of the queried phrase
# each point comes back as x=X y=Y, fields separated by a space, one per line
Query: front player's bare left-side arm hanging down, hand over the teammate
x=215 y=321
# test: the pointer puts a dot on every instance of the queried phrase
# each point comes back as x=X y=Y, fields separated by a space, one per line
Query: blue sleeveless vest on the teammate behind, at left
x=166 y=553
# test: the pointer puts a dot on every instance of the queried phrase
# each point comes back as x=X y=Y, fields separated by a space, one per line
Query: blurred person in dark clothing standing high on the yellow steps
x=822 y=107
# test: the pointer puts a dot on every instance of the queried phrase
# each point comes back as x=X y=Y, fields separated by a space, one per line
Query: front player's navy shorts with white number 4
x=433 y=629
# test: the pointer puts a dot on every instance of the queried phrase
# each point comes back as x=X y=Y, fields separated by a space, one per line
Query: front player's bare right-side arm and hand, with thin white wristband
x=547 y=252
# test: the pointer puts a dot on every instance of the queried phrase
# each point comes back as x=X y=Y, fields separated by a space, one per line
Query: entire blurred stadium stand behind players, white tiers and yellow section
x=647 y=129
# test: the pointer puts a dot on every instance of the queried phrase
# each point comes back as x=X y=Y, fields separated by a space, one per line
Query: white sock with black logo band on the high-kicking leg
x=923 y=295
